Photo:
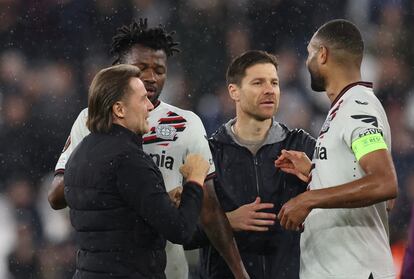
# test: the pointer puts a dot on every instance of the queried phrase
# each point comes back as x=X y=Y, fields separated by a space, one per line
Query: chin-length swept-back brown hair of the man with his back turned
x=107 y=88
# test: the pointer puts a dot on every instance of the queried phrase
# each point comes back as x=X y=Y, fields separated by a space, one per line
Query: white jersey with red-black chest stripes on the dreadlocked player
x=174 y=133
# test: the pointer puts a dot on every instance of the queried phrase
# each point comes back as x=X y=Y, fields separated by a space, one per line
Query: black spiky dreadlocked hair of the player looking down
x=138 y=33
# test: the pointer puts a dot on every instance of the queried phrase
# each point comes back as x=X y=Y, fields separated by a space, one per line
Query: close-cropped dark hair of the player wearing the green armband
x=342 y=34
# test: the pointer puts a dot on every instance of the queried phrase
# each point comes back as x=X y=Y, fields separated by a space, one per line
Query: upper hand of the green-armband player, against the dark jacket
x=296 y=163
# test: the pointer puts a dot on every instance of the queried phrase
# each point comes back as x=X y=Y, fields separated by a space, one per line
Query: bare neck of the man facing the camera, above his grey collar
x=250 y=129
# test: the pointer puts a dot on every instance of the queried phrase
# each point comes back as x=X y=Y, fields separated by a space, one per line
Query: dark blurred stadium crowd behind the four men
x=50 y=50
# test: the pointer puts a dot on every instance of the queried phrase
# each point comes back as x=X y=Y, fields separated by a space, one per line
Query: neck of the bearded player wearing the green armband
x=339 y=79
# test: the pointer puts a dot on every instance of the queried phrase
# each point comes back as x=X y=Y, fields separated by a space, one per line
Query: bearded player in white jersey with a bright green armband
x=351 y=175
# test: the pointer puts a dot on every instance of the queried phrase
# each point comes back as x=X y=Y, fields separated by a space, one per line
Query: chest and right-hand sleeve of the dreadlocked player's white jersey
x=175 y=133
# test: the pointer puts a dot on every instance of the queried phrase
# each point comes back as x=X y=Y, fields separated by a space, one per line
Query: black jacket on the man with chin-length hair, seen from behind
x=120 y=209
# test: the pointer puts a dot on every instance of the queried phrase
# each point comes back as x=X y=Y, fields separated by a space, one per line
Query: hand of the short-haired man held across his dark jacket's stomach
x=247 y=217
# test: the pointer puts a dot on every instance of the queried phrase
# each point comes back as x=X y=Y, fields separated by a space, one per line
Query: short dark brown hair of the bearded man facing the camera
x=237 y=68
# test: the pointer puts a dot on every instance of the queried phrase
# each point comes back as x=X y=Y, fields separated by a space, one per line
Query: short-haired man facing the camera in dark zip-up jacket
x=249 y=186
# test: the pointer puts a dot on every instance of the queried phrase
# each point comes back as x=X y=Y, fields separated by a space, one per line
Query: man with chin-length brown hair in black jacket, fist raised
x=118 y=204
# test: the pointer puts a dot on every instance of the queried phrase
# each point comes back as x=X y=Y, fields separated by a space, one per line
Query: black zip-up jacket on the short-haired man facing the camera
x=241 y=177
